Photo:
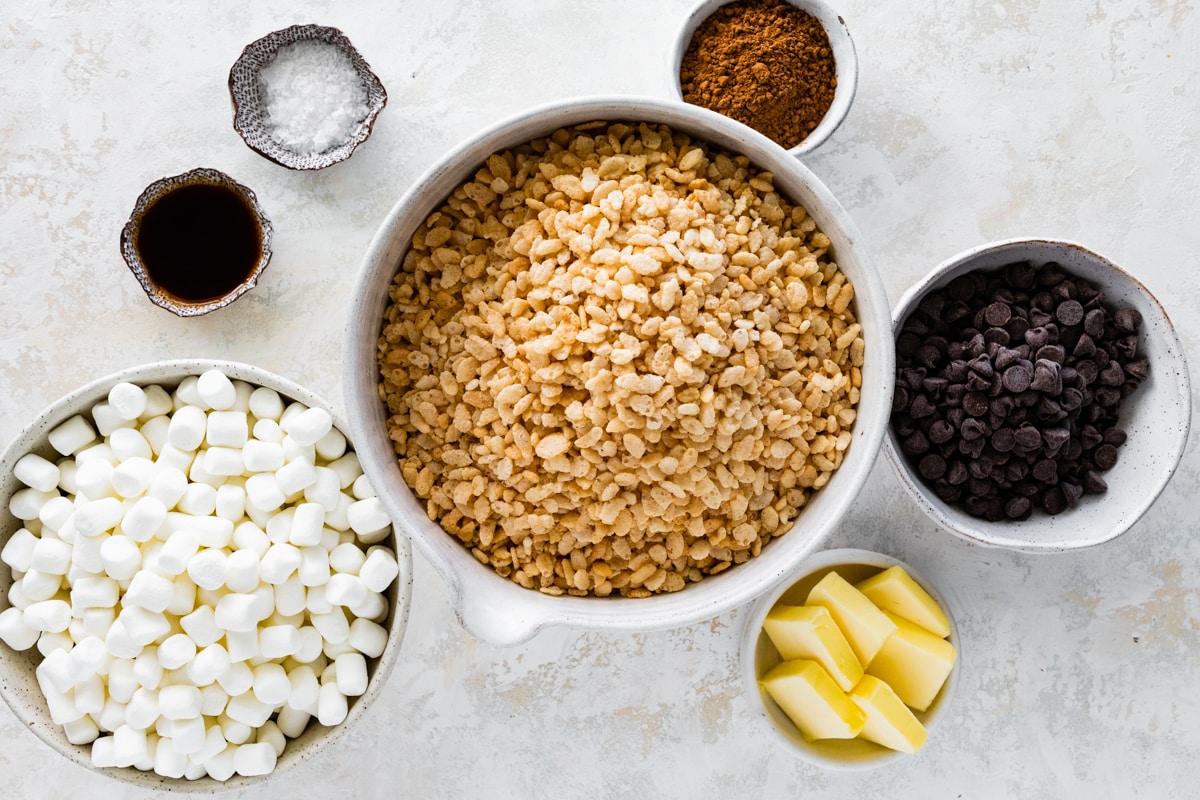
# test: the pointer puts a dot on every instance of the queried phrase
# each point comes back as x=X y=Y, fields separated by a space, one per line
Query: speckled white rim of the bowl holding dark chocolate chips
x=983 y=533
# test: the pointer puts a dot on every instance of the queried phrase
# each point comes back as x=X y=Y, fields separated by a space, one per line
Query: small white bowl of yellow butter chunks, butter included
x=855 y=663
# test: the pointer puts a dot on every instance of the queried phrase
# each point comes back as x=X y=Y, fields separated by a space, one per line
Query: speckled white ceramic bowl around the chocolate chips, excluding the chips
x=1157 y=417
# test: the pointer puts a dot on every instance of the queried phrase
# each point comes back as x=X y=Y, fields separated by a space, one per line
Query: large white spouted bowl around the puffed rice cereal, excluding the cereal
x=496 y=609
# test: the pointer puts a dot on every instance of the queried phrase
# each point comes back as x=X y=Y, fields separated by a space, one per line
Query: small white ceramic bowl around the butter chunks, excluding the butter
x=759 y=655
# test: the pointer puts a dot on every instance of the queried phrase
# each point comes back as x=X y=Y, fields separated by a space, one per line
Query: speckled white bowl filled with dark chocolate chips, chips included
x=1042 y=399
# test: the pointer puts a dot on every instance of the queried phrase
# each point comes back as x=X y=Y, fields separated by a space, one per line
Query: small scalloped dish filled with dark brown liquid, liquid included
x=237 y=215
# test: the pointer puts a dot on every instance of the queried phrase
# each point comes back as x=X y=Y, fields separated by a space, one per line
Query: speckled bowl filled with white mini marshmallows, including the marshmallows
x=199 y=586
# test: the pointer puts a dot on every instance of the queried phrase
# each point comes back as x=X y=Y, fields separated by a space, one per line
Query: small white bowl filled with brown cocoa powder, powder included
x=785 y=68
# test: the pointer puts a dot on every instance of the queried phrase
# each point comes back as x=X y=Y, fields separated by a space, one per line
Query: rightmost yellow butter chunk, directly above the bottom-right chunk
x=914 y=663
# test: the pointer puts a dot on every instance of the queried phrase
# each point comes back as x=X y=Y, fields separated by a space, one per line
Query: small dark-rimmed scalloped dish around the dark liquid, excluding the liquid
x=160 y=189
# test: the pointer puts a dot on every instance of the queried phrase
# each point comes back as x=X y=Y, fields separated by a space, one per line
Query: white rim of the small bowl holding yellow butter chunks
x=827 y=562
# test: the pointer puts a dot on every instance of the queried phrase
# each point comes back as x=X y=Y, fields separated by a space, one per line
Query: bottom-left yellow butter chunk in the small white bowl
x=811 y=699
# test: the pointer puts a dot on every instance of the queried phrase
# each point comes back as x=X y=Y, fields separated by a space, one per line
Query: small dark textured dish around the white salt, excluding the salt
x=250 y=119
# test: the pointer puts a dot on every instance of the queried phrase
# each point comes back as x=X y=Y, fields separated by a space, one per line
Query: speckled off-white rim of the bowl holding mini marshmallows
x=172 y=371
